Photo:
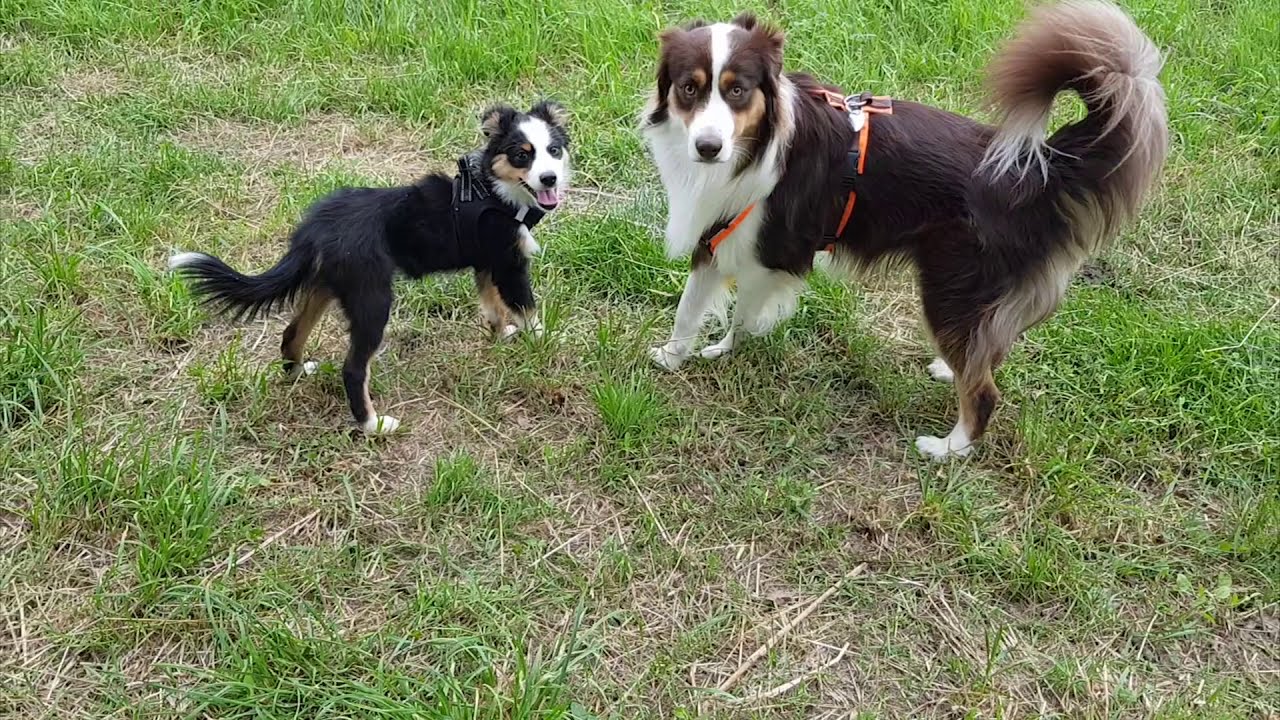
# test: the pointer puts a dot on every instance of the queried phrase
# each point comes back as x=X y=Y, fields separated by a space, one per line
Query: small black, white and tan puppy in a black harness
x=354 y=243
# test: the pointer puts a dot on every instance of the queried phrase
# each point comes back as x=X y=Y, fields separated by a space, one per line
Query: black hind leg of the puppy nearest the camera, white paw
x=368 y=313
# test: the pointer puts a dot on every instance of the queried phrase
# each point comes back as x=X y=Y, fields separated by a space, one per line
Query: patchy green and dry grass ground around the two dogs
x=560 y=531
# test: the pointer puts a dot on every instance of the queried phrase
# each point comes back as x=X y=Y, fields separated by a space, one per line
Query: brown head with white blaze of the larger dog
x=719 y=84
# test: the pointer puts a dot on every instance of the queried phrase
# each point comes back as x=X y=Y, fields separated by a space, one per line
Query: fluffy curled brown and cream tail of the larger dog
x=1095 y=49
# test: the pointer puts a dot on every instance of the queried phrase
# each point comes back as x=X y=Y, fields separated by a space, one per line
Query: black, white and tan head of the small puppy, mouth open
x=528 y=153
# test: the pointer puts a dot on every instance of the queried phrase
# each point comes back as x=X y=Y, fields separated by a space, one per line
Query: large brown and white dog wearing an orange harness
x=994 y=220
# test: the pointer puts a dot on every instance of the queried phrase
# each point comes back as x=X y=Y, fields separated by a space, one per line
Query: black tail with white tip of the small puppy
x=245 y=297
